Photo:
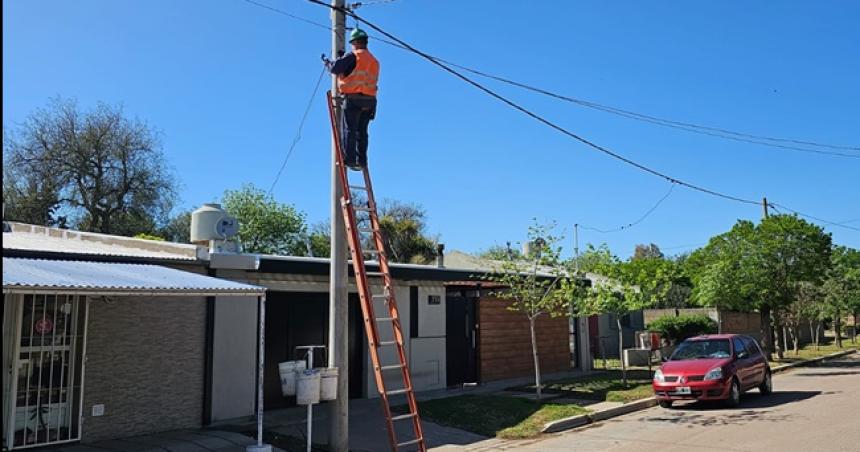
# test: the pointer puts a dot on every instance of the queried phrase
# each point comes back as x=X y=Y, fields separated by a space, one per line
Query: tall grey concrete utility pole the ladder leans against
x=338 y=340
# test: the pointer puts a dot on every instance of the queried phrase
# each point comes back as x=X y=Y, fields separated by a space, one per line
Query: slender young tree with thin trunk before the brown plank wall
x=533 y=286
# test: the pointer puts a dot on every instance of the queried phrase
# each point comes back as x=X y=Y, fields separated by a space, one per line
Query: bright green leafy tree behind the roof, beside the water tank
x=266 y=226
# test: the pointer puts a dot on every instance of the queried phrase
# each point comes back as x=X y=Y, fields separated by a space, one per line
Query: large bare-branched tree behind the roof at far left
x=105 y=170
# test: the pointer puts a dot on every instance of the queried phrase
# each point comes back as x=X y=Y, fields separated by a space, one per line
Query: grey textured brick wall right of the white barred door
x=145 y=363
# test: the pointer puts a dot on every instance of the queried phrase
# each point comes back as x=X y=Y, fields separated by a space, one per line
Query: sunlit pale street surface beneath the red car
x=812 y=409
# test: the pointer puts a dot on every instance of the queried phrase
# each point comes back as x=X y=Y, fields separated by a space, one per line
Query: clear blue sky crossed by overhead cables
x=226 y=82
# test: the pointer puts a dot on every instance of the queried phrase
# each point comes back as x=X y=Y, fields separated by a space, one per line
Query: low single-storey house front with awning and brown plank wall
x=137 y=361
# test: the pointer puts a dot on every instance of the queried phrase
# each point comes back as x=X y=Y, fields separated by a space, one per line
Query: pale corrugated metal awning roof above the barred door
x=104 y=278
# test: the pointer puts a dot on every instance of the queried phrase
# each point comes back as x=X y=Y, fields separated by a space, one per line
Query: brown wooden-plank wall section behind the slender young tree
x=505 y=342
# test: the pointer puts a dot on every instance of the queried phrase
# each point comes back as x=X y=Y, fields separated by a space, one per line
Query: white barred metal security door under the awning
x=47 y=370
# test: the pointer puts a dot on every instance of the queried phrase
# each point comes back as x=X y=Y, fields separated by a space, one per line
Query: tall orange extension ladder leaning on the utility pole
x=371 y=322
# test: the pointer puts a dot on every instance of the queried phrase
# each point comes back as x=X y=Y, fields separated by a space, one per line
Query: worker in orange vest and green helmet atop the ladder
x=357 y=75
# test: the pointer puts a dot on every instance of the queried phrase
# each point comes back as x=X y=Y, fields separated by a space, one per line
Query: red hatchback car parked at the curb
x=713 y=367
